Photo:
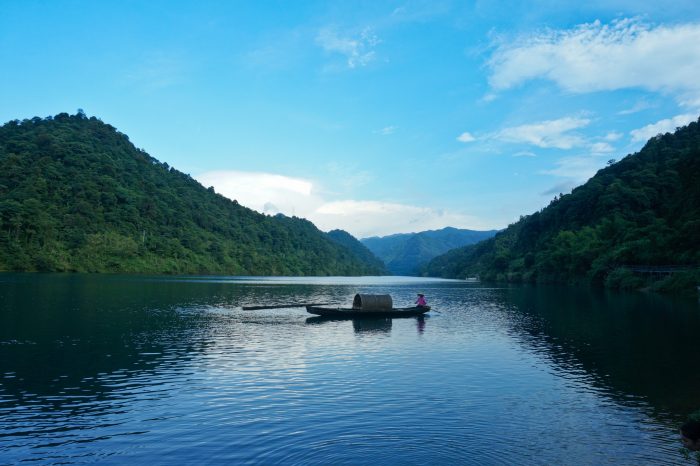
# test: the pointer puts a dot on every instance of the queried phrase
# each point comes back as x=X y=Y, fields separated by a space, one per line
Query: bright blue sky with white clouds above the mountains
x=376 y=117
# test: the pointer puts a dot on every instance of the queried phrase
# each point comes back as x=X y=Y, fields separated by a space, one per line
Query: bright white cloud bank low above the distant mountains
x=271 y=194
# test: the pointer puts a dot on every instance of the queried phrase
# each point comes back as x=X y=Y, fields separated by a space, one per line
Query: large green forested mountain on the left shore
x=76 y=195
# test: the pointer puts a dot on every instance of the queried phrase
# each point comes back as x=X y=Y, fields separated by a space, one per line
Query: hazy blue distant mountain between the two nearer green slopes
x=408 y=253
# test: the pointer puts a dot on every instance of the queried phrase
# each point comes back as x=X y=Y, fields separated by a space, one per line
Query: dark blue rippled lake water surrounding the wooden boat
x=139 y=370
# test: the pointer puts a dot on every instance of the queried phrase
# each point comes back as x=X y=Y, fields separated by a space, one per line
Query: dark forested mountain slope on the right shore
x=641 y=211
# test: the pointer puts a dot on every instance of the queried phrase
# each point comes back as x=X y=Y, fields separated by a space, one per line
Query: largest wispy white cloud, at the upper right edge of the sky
x=596 y=57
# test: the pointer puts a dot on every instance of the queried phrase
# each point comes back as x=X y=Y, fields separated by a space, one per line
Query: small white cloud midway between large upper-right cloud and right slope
x=546 y=134
